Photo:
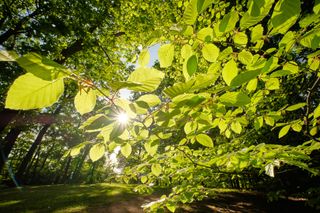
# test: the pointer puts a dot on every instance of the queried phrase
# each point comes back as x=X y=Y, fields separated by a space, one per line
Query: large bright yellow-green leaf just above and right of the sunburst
x=149 y=79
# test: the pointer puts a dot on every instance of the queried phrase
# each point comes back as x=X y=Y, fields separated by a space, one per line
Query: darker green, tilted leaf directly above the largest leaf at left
x=42 y=67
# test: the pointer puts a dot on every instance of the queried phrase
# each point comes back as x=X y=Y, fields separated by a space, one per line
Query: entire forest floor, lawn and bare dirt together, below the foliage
x=117 y=198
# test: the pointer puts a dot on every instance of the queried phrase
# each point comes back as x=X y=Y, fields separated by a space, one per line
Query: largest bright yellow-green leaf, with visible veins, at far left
x=30 y=92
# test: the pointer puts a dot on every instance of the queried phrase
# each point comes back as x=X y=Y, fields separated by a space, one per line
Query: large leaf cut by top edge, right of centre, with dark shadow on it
x=257 y=10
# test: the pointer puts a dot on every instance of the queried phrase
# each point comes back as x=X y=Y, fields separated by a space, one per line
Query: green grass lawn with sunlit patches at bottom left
x=63 y=198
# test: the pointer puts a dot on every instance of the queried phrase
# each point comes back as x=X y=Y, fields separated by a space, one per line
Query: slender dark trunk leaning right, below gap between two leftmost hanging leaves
x=26 y=160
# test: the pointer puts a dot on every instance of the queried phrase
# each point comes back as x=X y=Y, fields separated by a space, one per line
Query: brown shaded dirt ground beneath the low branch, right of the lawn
x=231 y=202
